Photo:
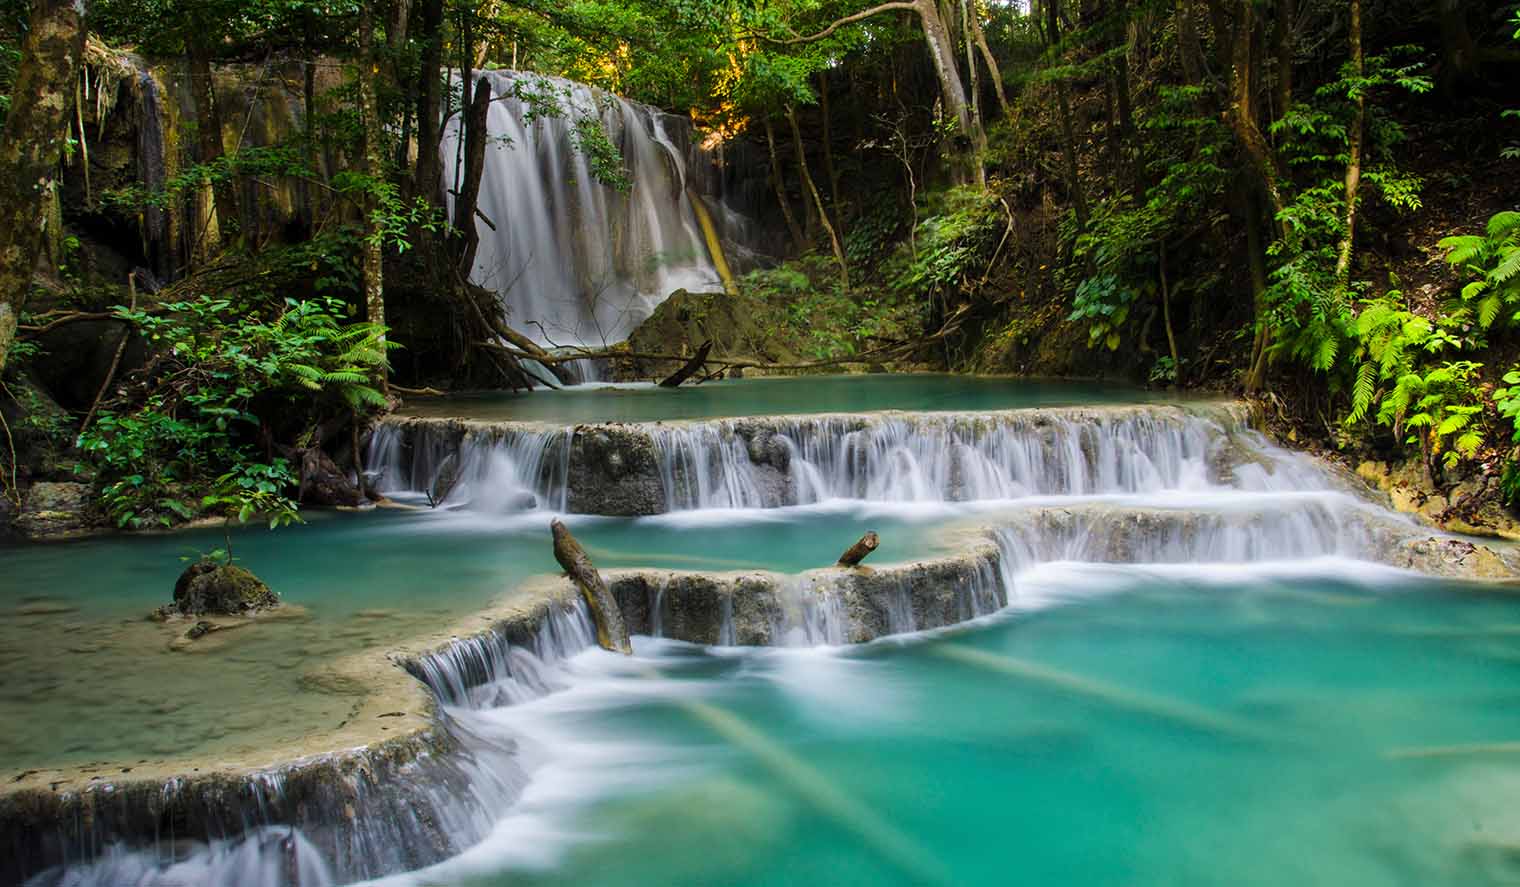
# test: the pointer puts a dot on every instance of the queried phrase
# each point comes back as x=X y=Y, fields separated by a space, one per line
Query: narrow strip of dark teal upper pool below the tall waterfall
x=759 y=397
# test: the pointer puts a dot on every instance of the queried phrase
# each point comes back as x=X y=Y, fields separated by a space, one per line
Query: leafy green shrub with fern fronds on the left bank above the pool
x=186 y=443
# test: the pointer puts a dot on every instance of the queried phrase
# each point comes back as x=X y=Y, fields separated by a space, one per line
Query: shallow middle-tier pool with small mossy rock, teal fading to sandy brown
x=90 y=680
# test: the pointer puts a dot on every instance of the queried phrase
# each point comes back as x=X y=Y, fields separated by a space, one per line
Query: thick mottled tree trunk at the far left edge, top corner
x=31 y=150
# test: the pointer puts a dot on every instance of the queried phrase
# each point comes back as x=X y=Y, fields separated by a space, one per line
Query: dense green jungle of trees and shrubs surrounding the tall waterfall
x=1309 y=201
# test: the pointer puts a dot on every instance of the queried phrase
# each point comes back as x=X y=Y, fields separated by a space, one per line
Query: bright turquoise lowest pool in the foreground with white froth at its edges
x=1167 y=727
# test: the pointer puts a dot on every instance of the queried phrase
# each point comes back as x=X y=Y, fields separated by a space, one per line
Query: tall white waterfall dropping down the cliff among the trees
x=574 y=260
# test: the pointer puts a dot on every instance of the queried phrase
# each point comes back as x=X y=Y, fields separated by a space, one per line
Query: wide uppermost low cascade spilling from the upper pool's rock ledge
x=885 y=458
